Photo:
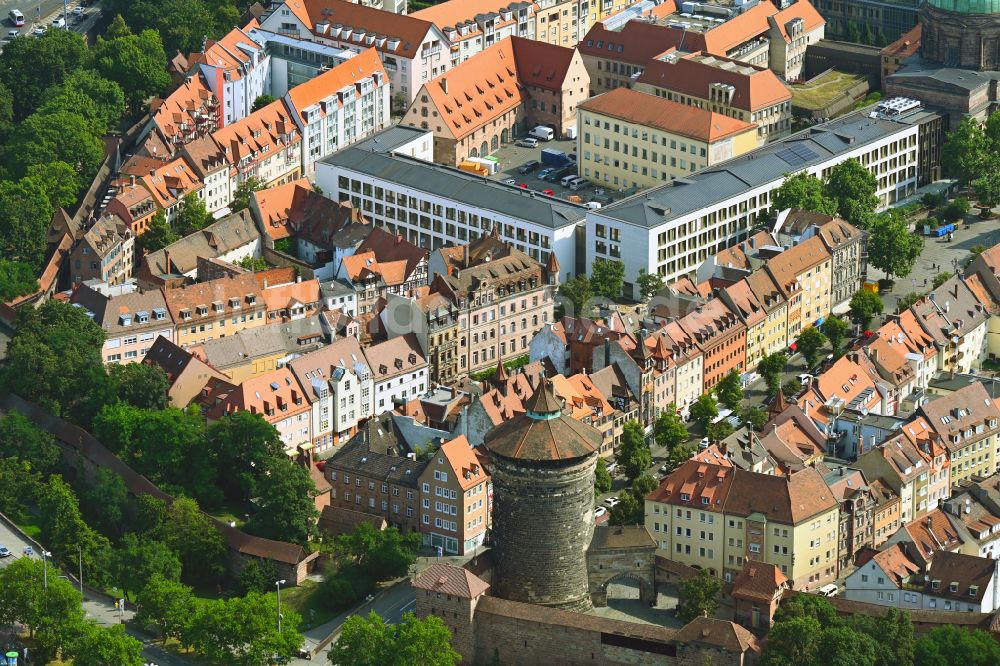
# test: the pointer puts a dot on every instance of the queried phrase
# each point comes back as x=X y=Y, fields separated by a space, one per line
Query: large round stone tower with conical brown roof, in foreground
x=543 y=504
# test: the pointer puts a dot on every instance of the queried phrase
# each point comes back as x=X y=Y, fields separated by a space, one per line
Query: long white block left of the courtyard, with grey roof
x=434 y=205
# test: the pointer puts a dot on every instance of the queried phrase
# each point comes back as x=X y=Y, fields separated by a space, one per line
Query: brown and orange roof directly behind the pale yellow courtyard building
x=755 y=88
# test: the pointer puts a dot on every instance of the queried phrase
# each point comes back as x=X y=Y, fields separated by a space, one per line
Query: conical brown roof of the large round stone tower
x=543 y=432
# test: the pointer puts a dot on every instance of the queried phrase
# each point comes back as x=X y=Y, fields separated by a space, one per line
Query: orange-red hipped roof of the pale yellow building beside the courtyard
x=660 y=113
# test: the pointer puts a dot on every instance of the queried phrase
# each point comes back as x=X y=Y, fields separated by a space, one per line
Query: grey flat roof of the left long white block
x=372 y=157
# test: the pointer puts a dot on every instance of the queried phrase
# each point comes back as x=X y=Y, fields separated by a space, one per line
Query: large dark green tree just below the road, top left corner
x=32 y=66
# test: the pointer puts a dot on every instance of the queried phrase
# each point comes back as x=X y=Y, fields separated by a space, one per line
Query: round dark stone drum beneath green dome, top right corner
x=961 y=33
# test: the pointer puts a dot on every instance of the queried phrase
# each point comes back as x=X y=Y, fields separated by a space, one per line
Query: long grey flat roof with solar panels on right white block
x=792 y=154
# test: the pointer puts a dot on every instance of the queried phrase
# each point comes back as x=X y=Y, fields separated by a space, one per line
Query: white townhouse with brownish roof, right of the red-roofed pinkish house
x=339 y=387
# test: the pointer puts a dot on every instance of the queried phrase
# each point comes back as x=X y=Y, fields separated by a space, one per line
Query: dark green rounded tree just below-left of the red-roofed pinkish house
x=246 y=445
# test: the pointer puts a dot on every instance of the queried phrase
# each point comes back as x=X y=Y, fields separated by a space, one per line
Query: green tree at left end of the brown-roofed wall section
x=191 y=535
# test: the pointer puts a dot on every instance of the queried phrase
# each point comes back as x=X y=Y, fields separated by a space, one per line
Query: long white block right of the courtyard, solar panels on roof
x=673 y=228
